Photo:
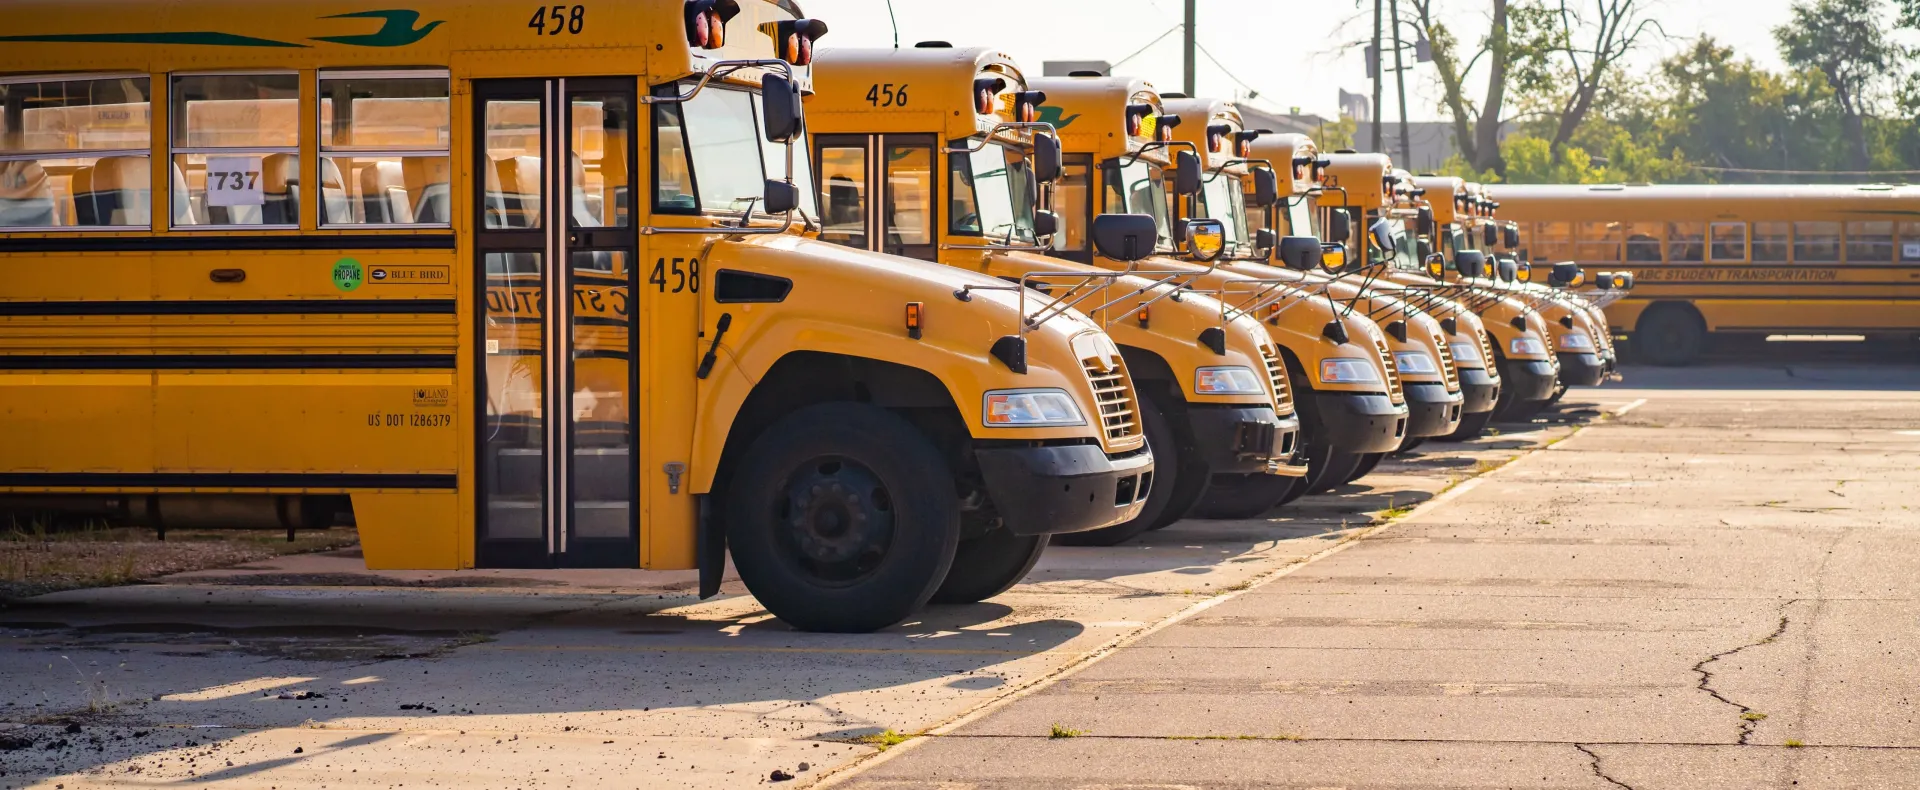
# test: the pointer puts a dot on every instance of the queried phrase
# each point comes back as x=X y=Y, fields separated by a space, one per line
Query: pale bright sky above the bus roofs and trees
x=1291 y=53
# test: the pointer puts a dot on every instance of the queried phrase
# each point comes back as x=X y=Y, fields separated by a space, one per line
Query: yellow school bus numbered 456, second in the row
x=930 y=153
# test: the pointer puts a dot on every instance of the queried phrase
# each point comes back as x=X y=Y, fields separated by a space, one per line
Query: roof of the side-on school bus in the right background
x=1706 y=203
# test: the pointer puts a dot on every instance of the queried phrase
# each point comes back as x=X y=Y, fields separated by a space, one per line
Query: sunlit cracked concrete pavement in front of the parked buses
x=1716 y=591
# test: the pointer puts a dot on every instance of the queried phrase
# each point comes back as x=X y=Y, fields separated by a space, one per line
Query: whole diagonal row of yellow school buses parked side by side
x=884 y=326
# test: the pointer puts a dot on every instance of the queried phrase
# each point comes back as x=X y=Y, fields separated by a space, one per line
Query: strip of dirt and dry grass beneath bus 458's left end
x=37 y=562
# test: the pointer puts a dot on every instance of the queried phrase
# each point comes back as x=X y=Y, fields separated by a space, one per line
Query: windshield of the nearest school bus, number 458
x=715 y=141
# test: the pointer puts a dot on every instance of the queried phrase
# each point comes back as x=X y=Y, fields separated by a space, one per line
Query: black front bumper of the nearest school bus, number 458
x=1065 y=489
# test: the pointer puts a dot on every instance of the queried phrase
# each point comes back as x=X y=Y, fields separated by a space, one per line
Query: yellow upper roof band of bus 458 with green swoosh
x=201 y=36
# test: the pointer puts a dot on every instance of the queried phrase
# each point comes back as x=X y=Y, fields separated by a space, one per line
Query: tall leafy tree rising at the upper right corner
x=1848 y=43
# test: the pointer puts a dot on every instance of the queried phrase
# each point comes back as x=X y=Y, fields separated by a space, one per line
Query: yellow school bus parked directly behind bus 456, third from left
x=1120 y=145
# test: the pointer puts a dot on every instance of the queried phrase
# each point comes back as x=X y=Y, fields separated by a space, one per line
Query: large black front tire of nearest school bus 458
x=842 y=518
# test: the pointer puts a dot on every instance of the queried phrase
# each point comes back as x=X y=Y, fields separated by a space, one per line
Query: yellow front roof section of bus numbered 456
x=942 y=78
